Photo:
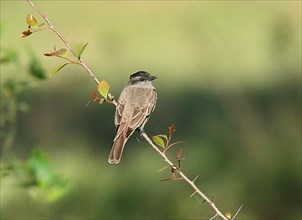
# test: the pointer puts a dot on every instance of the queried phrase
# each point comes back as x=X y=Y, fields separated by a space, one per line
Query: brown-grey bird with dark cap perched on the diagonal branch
x=134 y=106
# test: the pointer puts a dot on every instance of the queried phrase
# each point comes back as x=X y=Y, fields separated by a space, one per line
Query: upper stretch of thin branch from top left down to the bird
x=81 y=61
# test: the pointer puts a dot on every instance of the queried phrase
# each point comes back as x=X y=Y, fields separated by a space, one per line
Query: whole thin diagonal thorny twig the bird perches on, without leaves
x=144 y=135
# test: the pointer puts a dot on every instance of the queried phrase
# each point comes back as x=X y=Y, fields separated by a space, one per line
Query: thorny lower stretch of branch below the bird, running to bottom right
x=185 y=178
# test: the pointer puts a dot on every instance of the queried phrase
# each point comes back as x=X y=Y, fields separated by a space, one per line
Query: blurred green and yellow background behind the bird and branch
x=228 y=77
